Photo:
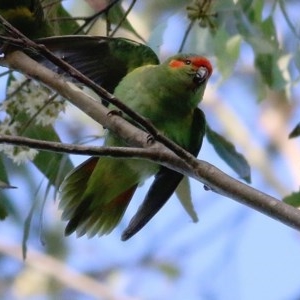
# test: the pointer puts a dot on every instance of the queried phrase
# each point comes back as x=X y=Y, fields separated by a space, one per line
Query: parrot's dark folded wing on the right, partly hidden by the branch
x=165 y=182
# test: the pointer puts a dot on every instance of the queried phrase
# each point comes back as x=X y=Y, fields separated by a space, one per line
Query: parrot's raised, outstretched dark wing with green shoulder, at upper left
x=104 y=60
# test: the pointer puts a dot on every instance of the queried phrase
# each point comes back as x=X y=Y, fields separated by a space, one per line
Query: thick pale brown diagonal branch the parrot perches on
x=202 y=171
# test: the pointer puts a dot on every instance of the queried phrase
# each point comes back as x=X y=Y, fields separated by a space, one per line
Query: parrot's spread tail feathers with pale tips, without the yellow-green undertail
x=89 y=213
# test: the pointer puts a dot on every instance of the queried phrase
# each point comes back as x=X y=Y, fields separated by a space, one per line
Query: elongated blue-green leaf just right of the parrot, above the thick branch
x=228 y=153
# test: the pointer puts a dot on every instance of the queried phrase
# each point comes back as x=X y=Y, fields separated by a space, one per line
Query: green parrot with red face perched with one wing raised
x=95 y=195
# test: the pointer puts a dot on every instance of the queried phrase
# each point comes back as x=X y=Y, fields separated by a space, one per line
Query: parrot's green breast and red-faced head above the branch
x=166 y=94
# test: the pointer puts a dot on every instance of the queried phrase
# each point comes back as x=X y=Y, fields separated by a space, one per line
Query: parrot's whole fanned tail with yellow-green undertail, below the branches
x=95 y=195
